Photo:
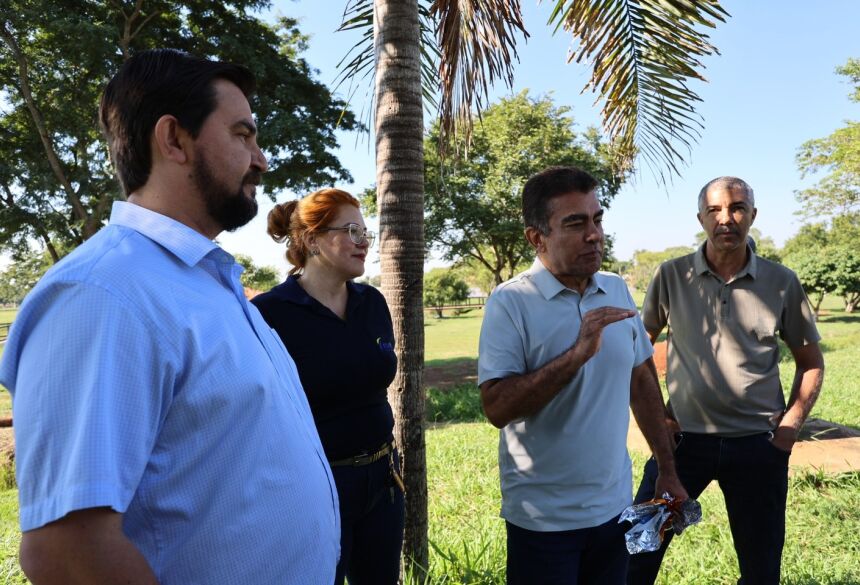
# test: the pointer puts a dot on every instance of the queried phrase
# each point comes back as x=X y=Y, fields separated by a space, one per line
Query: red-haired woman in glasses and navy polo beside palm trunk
x=340 y=335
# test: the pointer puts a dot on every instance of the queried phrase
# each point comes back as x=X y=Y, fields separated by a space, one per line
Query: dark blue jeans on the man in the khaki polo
x=753 y=476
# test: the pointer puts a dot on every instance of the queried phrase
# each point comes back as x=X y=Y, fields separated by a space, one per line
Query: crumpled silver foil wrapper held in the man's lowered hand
x=651 y=520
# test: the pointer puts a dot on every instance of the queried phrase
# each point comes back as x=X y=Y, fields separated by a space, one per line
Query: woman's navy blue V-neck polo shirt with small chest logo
x=345 y=365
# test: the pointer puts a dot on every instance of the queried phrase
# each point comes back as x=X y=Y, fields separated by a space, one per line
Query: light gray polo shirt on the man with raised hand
x=565 y=467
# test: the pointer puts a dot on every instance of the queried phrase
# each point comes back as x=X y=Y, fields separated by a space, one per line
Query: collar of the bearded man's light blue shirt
x=183 y=242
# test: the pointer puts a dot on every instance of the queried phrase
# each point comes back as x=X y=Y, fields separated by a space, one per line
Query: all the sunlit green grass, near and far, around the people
x=467 y=536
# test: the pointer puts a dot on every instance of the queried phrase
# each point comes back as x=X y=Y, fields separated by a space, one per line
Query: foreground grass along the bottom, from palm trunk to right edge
x=467 y=535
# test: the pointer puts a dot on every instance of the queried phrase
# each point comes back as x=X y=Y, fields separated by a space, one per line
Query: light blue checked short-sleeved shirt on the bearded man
x=143 y=381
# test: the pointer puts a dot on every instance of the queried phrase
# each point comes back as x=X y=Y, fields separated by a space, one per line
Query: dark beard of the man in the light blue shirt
x=229 y=209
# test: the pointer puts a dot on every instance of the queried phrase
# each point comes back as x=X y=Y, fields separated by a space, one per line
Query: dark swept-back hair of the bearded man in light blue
x=152 y=84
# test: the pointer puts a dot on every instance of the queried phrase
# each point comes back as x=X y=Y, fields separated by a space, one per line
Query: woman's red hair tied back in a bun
x=290 y=221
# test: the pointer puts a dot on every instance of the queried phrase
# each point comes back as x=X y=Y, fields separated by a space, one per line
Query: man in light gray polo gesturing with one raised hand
x=562 y=355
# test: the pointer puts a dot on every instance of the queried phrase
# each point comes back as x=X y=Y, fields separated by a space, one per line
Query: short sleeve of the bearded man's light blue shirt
x=91 y=384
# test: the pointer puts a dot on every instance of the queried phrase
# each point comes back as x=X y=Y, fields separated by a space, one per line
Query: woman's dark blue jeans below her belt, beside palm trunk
x=371 y=524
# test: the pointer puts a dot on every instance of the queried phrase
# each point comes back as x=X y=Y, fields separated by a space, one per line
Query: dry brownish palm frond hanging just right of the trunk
x=477 y=46
